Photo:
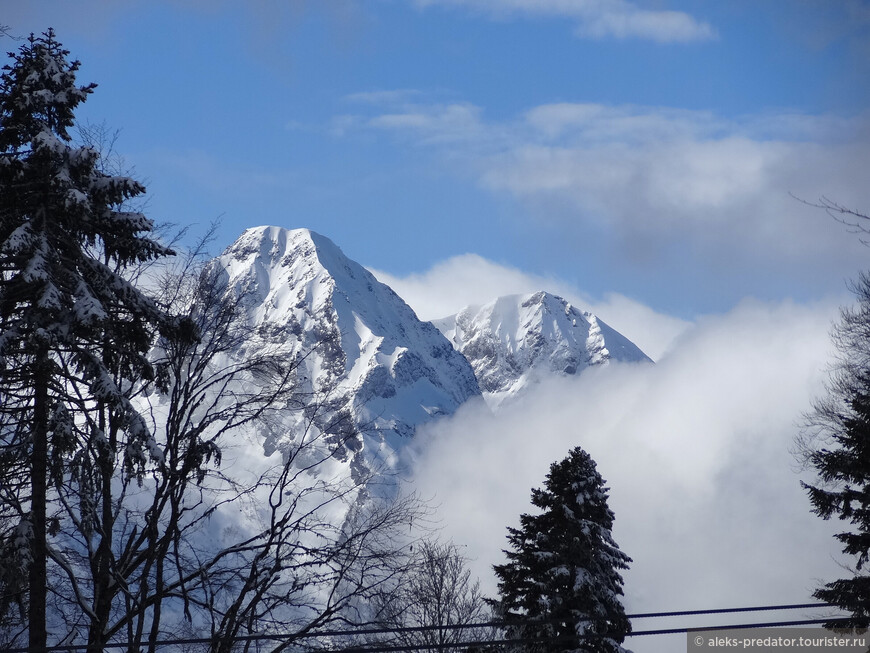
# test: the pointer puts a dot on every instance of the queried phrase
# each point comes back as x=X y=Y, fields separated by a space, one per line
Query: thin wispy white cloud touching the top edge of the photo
x=597 y=19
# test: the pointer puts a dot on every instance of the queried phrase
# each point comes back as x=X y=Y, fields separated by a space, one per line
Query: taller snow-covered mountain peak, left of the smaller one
x=391 y=371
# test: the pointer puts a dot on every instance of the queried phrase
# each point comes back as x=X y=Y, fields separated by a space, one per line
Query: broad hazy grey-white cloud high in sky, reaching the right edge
x=688 y=170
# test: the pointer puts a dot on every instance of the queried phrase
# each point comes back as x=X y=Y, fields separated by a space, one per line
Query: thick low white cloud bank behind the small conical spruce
x=695 y=450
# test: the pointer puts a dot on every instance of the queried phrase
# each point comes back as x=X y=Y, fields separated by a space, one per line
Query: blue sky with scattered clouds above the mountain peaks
x=644 y=148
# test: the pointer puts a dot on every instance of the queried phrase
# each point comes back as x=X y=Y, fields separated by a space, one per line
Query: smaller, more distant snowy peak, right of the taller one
x=515 y=339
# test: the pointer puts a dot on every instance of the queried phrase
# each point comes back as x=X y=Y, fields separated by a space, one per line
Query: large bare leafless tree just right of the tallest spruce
x=217 y=539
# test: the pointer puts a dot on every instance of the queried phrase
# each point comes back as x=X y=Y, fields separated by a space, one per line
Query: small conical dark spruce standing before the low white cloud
x=561 y=584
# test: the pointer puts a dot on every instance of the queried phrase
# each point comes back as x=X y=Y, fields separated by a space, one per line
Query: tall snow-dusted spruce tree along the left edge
x=69 y=322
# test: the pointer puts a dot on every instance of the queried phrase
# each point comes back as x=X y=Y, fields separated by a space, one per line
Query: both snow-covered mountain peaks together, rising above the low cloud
x=381 y=371
